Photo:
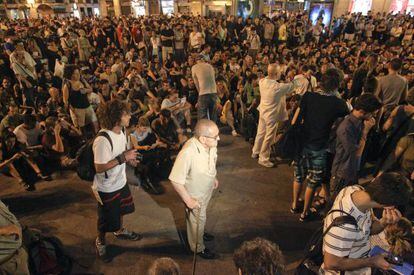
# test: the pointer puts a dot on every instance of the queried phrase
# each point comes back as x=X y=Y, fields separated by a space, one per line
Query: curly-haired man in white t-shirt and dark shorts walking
x=110 y=187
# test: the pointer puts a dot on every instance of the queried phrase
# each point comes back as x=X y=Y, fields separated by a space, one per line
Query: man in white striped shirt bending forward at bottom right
x=346 y=247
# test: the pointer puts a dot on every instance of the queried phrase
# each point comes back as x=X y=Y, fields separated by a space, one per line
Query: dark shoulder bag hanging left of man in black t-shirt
x=290 y=144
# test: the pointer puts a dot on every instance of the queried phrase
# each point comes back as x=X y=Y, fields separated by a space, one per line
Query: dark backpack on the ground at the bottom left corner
x=46 y=256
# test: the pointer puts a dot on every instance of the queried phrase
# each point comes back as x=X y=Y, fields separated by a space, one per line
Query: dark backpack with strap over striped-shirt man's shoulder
x=313 y=259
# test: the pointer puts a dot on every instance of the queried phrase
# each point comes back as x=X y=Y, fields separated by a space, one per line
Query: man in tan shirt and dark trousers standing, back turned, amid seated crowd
x=205 y=82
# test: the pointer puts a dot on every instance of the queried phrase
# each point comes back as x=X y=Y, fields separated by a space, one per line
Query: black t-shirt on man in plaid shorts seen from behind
x=319 y=112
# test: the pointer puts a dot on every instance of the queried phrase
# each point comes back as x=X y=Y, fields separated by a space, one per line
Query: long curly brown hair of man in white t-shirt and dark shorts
x=110 y=113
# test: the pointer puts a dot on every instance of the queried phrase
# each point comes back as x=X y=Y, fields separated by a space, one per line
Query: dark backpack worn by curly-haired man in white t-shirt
x=86 y=166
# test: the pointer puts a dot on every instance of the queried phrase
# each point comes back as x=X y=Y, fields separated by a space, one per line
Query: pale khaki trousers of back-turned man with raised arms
x=265 y=137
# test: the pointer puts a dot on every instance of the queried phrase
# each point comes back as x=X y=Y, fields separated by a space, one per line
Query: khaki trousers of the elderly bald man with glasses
x=191 y=220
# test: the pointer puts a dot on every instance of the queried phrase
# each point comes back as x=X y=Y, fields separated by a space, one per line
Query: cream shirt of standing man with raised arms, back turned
x=273 y=99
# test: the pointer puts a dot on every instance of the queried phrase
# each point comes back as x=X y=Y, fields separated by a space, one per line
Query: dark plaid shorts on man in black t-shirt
x=311 y=166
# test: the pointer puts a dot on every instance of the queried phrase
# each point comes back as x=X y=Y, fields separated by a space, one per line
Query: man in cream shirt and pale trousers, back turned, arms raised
x=272 y=109
